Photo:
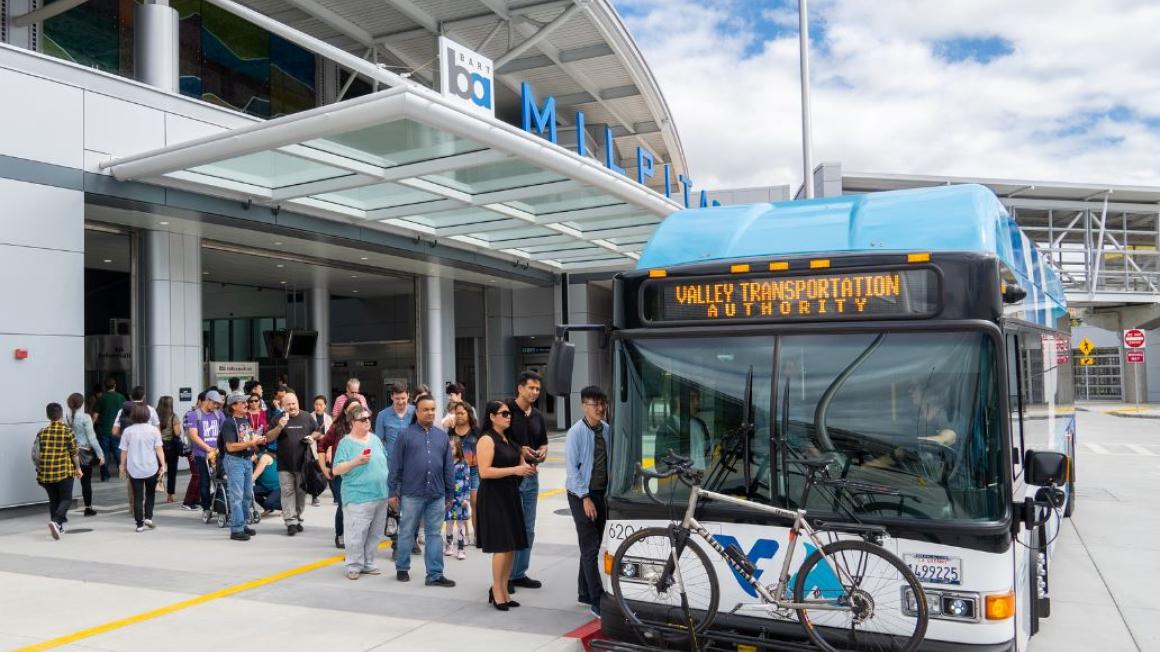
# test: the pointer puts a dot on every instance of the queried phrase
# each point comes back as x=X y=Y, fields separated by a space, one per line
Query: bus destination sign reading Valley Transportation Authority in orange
x=833 y=296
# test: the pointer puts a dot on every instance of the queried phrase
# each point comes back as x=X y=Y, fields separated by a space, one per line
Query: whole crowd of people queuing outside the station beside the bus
x=437 y=484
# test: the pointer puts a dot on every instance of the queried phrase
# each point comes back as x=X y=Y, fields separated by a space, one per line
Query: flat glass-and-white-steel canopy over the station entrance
x=409 y=161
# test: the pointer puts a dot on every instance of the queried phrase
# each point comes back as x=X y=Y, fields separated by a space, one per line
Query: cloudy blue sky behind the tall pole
x=1034 y=90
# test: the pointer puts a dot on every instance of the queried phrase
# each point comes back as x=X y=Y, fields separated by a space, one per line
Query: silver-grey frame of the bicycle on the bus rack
x=800 y=526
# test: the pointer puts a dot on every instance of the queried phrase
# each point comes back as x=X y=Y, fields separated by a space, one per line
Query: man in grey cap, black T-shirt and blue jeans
x=240 y=443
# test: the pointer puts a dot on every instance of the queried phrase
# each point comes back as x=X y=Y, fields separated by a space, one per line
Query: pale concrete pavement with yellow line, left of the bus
x=185 y=586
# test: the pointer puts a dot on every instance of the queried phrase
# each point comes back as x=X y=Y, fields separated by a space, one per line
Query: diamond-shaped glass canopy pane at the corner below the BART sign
x=395 y=143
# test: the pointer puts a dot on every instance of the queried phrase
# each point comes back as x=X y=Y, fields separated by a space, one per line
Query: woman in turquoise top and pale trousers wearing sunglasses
x=361 y=462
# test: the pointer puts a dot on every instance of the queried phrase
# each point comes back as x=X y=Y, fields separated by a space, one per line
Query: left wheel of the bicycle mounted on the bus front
x=656 y=599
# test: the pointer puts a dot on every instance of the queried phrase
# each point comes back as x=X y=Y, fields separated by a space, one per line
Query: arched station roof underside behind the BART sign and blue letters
x=578 y=52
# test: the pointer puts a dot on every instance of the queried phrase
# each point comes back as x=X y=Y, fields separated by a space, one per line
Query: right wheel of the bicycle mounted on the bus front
x=859 y=591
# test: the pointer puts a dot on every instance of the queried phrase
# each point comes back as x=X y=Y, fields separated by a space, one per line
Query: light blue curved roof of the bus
x=949 y=219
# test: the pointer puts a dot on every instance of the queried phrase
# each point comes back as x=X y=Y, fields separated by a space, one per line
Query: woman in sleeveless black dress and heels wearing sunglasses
x=502 y=530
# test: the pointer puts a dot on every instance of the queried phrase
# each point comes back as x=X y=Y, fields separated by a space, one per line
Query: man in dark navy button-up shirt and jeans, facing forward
x=422 y=488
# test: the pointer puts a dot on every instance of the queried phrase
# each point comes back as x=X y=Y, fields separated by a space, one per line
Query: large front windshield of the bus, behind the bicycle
x=916 y=411
